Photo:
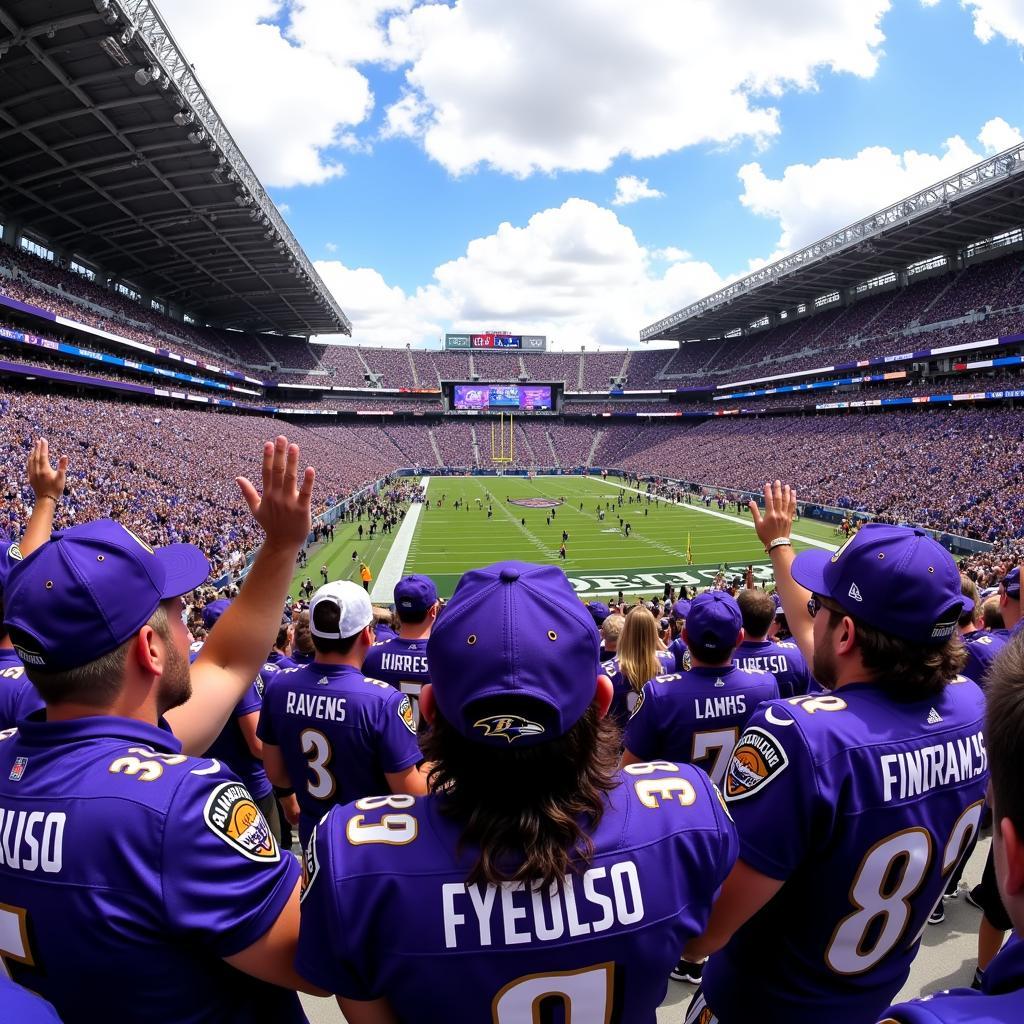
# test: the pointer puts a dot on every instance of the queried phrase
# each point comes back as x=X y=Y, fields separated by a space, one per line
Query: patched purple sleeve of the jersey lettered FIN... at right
x=773 y=792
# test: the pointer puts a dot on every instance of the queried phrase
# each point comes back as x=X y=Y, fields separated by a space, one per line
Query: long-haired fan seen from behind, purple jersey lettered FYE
x=535 y=879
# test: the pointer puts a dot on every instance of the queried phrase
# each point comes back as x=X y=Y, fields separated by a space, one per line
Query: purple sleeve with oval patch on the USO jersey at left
x=226 y=880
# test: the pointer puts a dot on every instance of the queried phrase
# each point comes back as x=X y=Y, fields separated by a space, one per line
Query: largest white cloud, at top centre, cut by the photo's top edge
x=536 y=86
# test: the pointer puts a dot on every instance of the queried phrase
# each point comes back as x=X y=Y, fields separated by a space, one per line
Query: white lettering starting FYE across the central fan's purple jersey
x=523 y=913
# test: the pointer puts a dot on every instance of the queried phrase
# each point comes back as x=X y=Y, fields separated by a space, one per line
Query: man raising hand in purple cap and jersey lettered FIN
x=852 y=807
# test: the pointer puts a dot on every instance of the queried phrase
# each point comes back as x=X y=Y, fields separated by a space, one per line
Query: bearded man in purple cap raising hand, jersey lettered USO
x=133 y=875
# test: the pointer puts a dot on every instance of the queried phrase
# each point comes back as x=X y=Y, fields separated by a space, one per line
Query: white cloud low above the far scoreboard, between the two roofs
x=573 y=273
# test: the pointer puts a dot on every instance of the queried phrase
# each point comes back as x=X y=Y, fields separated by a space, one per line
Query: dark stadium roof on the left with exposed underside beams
x=112 y=151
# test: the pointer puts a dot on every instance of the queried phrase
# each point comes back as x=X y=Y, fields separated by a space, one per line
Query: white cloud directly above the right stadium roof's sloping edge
x=809 y=201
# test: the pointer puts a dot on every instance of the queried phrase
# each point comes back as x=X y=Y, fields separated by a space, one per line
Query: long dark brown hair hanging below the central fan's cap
x=529 y=813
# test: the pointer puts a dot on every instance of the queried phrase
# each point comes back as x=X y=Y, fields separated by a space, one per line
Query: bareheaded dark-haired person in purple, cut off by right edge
x=1002 y=997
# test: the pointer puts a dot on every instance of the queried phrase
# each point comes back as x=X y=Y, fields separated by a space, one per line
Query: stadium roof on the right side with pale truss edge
x=978 y=203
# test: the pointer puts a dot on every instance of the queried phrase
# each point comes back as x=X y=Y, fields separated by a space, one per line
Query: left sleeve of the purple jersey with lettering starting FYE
x=332 y=938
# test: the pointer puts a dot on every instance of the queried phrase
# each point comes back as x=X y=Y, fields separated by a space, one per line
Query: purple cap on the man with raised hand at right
x=893 y=578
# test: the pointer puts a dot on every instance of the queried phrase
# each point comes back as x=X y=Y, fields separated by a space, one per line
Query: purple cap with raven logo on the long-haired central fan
x=515 y=631
